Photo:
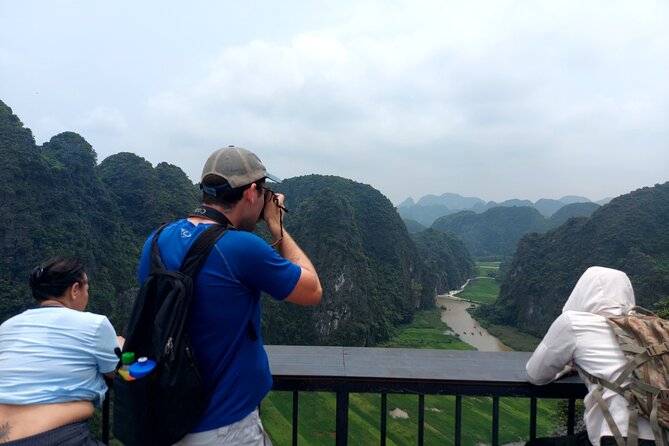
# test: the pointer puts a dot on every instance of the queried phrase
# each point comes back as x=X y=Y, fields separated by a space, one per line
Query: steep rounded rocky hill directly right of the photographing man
x=365 y=258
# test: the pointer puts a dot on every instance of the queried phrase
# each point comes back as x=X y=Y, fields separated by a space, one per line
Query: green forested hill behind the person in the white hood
x=630 y=233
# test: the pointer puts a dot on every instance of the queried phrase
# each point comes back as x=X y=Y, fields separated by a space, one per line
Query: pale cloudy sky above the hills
x=494 y=99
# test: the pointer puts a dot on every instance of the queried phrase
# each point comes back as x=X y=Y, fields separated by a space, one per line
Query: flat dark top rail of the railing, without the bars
x=362 y=369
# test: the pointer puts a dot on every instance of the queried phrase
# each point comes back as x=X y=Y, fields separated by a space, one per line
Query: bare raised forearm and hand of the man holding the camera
x=308 y=289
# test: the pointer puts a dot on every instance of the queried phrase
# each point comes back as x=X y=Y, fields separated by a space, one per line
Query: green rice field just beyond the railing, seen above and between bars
x=317 y=411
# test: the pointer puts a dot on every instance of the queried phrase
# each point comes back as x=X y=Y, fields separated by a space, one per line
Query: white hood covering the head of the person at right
x=601 y=290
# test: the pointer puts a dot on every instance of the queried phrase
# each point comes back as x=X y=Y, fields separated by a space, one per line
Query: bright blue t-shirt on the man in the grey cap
x=226 y=297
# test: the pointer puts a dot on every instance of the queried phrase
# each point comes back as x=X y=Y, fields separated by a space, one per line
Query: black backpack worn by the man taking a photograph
x=161 y=408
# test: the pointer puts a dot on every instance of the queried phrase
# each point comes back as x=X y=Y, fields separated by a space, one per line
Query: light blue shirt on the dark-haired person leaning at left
x=55 y=355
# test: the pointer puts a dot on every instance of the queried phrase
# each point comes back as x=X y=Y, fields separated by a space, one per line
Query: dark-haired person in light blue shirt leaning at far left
x=52 y=360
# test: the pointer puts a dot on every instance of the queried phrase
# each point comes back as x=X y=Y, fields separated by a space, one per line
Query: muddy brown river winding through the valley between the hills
x=455 y=315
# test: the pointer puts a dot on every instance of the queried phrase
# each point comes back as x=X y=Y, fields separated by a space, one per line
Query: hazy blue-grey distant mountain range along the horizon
x=430 y=207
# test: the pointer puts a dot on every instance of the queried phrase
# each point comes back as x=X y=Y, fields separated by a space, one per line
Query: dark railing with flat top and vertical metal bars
x=347 y=370
